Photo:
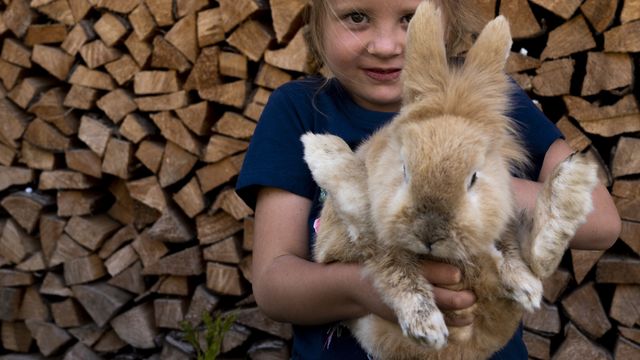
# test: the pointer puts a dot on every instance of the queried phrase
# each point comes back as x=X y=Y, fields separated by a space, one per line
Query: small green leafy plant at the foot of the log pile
x=214 y=331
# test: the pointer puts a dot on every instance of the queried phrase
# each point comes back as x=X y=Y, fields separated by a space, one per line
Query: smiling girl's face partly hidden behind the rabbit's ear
x=363 y=45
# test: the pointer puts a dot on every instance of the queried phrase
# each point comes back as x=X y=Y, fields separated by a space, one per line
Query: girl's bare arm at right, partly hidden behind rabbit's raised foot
x=603 y=224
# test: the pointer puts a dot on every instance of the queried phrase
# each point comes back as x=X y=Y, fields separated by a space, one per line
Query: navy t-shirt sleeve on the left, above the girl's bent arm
x=275 y=154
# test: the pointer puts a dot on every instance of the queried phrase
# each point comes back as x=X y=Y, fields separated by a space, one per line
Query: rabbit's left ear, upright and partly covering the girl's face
x=425 y=70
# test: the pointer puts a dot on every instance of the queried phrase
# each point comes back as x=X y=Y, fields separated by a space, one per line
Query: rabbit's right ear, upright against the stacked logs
x=487 y=57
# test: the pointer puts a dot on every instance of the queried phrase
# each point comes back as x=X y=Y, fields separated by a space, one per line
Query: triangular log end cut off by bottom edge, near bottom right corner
x=578 y=346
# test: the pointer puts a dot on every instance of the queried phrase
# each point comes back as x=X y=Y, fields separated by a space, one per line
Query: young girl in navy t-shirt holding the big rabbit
x=362 y=43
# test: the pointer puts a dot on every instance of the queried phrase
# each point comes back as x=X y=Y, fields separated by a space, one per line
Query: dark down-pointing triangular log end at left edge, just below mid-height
x=26 y=207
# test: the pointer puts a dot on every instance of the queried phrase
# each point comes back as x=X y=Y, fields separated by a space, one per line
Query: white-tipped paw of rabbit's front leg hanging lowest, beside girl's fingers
x=423 y=325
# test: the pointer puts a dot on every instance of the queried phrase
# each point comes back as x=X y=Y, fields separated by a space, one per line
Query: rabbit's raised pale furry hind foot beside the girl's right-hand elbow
x=562 y=206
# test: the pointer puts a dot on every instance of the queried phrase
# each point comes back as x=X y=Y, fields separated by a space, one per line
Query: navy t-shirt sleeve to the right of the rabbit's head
x=537 y=131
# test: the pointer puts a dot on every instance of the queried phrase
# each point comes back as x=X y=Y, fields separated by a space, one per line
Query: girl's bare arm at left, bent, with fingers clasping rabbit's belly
x=290 y=288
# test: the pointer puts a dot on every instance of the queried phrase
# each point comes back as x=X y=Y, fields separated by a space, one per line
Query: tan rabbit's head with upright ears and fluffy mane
x=439 y=181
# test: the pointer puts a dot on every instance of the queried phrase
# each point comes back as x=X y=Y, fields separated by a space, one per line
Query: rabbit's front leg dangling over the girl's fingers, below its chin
x=401 y=285
